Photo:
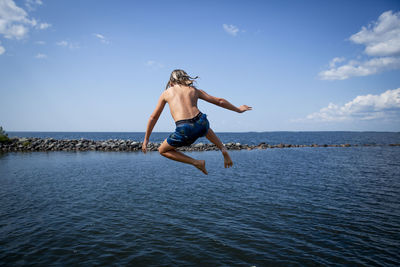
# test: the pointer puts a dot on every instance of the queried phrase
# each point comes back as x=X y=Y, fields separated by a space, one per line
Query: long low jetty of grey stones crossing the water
x=50 y=144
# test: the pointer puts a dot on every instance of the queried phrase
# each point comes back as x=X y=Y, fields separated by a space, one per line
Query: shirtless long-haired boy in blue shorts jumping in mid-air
x=182 y=96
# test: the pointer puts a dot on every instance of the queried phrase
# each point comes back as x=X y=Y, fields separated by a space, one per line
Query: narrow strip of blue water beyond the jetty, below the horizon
x=252 y=138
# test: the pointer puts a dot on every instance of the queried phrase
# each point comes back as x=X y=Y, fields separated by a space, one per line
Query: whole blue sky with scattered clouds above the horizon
x=101 y=65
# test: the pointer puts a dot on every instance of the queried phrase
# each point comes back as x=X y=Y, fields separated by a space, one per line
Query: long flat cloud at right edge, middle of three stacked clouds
x=356 y=68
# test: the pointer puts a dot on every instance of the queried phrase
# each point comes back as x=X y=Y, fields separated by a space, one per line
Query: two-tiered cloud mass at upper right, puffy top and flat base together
x=382 y=44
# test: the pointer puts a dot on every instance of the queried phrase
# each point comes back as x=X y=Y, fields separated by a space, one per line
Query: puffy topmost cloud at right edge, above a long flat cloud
x=381 y=38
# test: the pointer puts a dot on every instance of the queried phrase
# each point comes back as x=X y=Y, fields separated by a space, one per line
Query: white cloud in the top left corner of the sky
x=15 y=22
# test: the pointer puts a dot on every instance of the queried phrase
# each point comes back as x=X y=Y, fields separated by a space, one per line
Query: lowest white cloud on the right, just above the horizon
x=385 y=106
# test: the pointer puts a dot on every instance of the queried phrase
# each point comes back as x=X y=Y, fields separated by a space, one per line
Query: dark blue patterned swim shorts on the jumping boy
x=187 y=131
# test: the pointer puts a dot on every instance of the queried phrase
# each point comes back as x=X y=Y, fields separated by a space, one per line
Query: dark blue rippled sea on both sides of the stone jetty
x=305 y=206
